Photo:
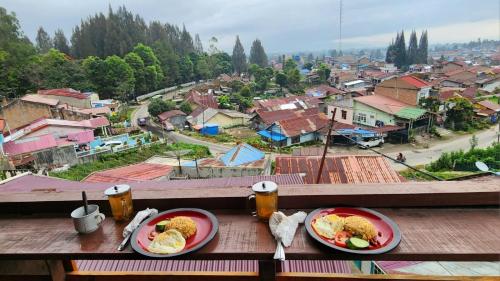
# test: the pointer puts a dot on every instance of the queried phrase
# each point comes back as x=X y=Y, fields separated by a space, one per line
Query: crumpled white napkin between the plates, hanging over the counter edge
x=283 y=229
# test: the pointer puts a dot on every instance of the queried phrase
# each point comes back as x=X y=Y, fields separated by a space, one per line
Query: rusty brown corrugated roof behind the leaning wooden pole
x=340 y=169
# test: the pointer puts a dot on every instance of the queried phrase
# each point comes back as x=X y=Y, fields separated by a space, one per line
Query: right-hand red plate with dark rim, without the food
x=389 y=237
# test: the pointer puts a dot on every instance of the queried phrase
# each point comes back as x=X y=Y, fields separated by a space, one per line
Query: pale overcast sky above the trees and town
x=284 y=25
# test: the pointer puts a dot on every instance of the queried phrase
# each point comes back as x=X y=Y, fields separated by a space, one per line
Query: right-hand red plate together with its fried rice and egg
x=353 y=230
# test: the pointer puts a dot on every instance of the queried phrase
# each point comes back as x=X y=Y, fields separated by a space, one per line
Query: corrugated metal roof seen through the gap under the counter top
x=314 y=266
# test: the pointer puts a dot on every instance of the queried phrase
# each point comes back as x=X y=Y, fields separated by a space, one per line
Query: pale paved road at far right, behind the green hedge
x=425 y=156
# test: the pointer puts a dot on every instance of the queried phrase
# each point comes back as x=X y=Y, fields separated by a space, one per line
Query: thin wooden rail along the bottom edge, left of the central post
x=163 y=276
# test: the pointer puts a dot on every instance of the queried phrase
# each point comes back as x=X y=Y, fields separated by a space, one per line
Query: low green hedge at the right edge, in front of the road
x=464 y=161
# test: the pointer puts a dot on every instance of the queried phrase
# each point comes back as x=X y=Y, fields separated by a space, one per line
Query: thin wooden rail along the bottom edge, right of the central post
x=299 y=276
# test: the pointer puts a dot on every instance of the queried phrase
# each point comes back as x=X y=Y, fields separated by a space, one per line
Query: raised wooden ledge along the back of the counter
x=484 y=192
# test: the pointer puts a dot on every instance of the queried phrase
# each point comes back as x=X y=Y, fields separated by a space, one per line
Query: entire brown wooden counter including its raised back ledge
x=459 y=232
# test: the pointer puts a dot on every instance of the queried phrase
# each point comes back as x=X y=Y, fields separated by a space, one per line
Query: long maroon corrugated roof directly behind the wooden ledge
x=29 y=183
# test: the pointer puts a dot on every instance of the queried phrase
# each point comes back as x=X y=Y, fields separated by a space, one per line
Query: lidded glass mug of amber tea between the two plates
x=266 y=199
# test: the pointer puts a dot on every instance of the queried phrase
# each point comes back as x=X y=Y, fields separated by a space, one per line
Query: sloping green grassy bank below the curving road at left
x=131 y=156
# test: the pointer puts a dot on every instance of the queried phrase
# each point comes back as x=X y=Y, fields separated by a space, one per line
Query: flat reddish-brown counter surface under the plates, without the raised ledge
x=434 y=234
